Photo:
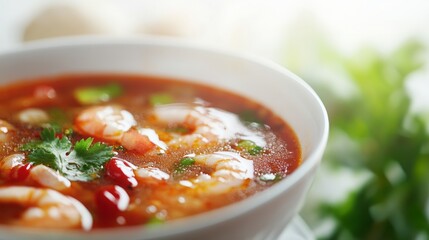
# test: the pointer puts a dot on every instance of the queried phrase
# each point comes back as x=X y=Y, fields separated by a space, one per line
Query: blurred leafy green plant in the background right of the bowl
x=388 y=141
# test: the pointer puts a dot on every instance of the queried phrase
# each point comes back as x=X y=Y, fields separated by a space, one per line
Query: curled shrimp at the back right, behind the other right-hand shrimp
x=204 y=124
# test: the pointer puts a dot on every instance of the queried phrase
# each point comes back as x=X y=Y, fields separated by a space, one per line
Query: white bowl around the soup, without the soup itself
x=262 y=216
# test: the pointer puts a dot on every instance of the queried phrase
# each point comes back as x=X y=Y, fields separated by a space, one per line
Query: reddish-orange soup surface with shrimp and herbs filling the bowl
x=97 y=151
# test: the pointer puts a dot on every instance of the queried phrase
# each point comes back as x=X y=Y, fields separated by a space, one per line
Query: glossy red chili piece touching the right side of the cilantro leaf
x=122 y=172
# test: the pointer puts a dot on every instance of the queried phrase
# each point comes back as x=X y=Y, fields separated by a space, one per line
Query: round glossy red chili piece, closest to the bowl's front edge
x=111 y=200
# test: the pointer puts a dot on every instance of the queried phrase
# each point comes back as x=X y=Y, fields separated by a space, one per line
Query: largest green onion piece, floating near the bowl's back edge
x=98 y=94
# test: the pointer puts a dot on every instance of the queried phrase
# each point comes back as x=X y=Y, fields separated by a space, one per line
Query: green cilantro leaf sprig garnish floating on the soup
x=80 y=162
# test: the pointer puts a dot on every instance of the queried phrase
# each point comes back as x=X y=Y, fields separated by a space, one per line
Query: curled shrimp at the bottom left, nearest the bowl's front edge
x=46 y=208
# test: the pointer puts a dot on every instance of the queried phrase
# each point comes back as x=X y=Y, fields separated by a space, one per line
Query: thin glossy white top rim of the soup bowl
x=216 y=216
